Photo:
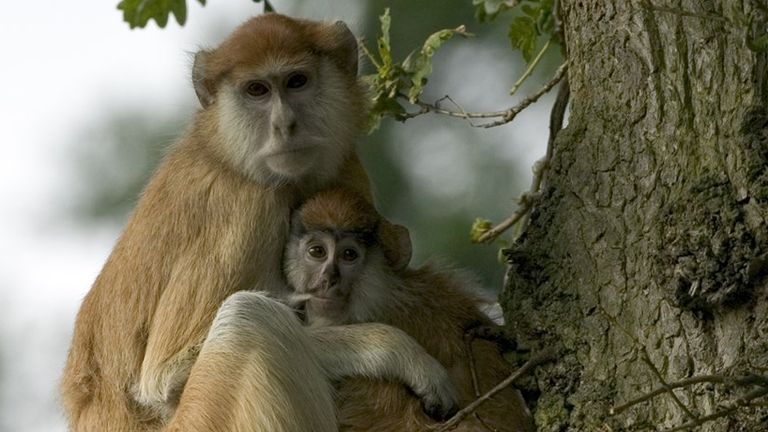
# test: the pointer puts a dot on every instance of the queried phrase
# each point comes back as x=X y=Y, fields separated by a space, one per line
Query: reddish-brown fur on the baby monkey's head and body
x=432 y=305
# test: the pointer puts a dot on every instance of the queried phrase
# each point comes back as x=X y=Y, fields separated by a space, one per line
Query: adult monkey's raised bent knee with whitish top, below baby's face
x=256 y=372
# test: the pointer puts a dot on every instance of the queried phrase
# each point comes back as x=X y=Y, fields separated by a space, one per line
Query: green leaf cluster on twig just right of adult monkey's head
x=394 y=80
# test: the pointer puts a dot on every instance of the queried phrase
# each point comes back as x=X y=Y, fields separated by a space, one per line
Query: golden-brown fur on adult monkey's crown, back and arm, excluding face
x=201 y=231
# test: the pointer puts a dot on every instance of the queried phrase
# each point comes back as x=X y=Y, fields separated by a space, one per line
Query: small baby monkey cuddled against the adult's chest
x=348 y=265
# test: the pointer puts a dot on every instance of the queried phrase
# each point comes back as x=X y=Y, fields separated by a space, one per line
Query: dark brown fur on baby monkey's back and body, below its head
x=432 y=306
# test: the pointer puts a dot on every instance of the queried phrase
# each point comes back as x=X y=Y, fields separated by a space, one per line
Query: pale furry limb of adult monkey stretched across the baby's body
x=380 y=351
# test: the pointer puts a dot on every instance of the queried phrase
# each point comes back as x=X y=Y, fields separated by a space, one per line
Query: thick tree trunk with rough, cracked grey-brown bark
x=644 y=259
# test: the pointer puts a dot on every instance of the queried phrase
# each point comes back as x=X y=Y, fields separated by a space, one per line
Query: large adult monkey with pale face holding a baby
x=281 y=108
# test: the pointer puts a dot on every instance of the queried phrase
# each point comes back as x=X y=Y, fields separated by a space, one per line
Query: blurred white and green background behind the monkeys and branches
x=88 y=107
